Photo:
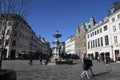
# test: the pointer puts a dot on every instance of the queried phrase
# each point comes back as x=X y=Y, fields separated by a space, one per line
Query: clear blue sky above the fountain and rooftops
x=46 y=16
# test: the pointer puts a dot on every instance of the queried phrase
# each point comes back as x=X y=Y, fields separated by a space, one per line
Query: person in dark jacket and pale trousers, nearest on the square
x=85 y=68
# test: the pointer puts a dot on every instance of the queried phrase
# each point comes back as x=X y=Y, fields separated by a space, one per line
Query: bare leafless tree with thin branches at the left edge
x=7 y=8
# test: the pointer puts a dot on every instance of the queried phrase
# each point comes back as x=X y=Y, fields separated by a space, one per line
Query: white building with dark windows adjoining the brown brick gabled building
x=99 y=40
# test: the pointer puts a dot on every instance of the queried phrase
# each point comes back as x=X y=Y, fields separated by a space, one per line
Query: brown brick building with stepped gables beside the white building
x=80 y=39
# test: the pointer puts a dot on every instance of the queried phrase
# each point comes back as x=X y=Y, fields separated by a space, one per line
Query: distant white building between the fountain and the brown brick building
x=70 y=45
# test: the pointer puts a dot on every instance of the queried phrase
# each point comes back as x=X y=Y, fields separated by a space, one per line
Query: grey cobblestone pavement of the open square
x=61 y=72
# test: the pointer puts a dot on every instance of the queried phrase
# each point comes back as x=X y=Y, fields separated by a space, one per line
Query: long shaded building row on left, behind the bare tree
x=22 y=39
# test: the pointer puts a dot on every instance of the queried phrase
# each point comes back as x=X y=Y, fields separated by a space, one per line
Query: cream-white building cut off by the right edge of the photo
x=114 y=22
